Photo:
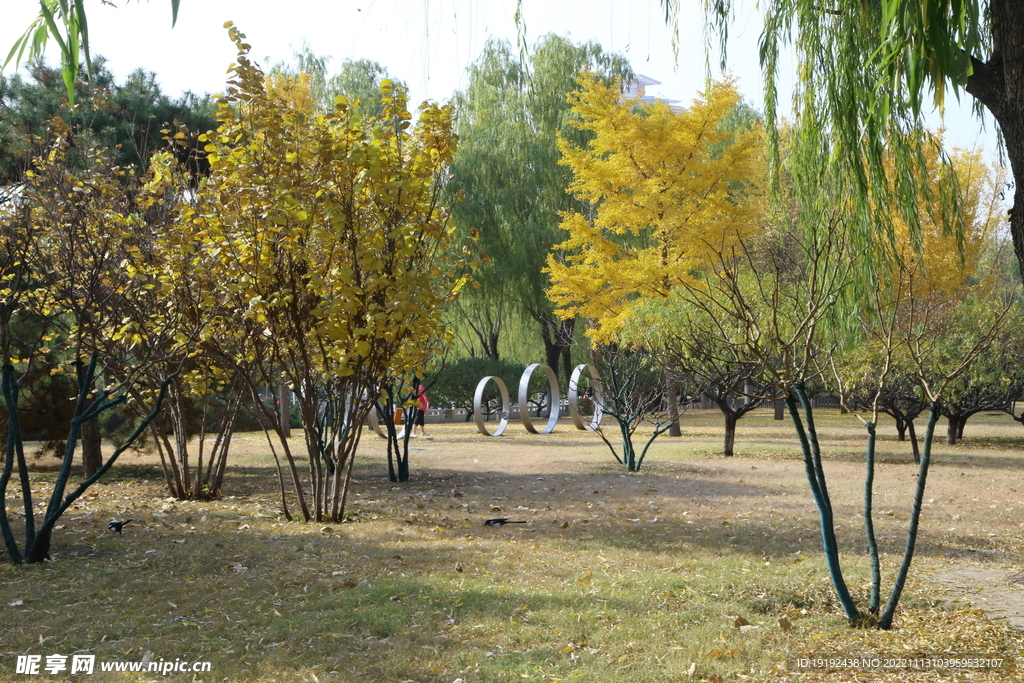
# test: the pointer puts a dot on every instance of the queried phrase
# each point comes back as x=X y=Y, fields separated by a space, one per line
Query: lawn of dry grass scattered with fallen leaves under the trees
x=617 y=578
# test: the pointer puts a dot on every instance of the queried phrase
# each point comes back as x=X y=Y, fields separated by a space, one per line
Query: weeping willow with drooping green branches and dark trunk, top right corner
x=867 y=71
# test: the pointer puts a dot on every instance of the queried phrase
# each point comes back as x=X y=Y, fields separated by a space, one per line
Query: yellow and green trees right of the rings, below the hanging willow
x=687 y=255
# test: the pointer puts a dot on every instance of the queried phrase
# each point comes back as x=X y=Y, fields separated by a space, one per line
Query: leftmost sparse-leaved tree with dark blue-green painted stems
x=66 y=242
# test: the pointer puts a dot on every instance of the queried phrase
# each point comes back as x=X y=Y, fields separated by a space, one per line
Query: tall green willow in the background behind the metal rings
x=508 y=181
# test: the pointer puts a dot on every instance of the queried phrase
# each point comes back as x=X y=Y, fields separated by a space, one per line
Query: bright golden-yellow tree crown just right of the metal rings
x=659 y=188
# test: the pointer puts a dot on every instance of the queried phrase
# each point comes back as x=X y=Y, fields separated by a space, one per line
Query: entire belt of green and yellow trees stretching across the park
x=329 y=241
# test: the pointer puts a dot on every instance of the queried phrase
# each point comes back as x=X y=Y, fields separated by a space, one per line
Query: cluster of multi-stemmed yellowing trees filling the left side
x=316 y=248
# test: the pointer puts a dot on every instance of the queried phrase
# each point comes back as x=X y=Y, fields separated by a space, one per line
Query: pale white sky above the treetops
x=426 y=44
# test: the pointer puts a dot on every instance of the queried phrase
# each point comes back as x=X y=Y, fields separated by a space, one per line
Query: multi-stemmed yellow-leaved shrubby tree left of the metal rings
x=332 y=251
